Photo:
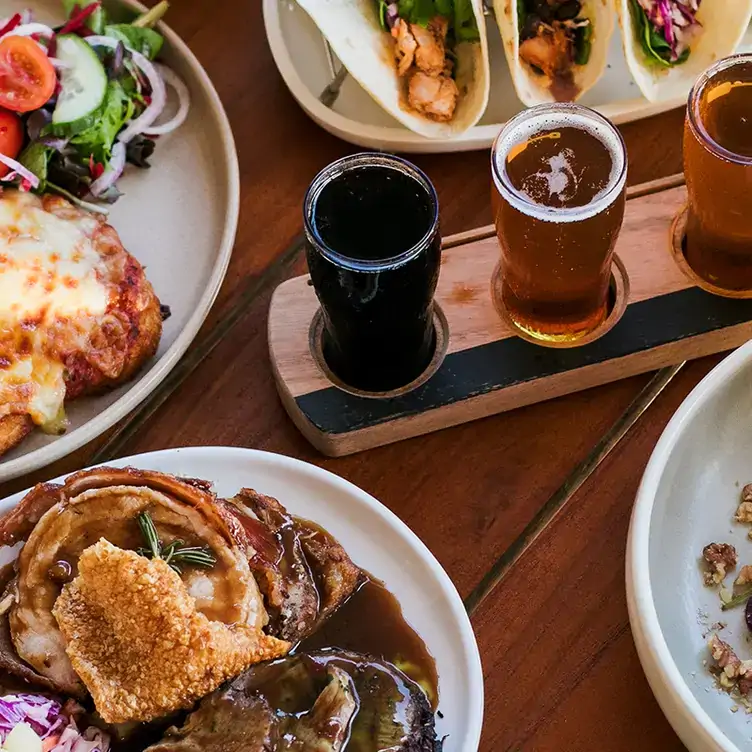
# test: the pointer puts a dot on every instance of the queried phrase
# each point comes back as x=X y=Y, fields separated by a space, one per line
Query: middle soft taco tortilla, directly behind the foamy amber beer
x=532 y=87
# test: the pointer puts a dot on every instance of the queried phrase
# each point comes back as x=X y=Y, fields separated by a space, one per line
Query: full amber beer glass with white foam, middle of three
x=559 y=177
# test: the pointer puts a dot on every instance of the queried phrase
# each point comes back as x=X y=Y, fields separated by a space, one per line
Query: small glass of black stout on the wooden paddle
x=374 y=249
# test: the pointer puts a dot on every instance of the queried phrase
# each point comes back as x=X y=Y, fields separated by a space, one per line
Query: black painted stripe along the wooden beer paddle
x=497 y=365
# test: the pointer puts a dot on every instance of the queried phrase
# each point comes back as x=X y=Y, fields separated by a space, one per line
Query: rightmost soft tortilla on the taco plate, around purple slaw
x=724 y=25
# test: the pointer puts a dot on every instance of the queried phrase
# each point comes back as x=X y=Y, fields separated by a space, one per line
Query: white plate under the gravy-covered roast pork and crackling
x=378 y=542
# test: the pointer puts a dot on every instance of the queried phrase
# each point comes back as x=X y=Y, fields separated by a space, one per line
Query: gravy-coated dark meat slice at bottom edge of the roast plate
x=320 y=699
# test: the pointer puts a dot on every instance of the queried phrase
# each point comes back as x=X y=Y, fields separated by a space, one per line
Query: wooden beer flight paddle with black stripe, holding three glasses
x=487 y=368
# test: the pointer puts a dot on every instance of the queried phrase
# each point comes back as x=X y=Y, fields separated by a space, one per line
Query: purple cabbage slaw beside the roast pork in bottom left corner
x=51 y=723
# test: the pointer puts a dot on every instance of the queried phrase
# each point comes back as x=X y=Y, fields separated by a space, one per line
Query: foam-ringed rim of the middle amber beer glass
x=552 y=213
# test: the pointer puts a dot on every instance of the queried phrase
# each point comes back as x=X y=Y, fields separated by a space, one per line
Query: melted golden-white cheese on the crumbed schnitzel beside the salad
x=50 y=274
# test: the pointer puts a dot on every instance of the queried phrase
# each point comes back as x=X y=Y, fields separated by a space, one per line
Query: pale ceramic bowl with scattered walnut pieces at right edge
x=686 y=500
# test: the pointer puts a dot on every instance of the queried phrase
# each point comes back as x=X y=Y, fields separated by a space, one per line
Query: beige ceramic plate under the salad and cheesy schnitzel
x=179 y=220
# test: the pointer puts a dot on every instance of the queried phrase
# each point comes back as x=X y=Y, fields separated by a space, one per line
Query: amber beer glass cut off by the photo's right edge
x=718 y=170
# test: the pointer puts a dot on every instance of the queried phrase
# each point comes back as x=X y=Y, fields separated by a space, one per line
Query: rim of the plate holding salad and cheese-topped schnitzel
x=149 y=379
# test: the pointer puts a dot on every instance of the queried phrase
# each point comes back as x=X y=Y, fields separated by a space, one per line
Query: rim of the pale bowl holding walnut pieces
x=691 y=722
